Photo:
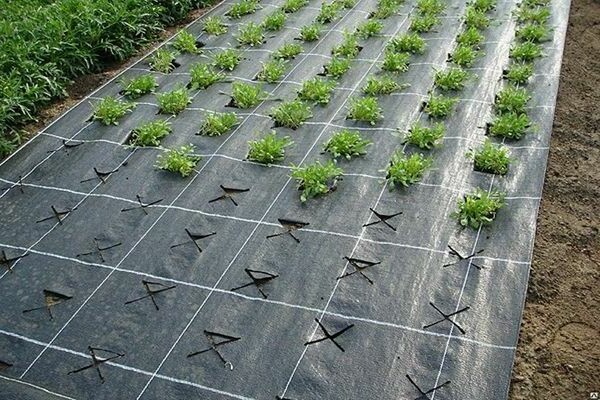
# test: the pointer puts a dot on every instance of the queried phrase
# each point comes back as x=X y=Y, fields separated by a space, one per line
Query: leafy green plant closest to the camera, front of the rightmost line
x=478 y=208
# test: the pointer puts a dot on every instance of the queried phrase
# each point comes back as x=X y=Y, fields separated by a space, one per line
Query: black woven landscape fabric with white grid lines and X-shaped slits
x=122 y=281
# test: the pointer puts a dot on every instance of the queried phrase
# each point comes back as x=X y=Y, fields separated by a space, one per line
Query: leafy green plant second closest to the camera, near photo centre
x=316 y=179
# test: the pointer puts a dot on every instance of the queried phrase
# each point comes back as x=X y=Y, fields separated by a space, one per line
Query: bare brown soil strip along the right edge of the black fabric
x=558 y=356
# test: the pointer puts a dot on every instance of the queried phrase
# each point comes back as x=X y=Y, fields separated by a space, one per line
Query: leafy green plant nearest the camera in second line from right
x=404 y=170
